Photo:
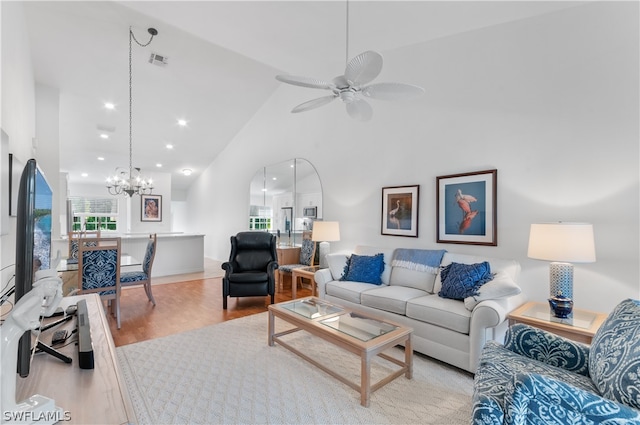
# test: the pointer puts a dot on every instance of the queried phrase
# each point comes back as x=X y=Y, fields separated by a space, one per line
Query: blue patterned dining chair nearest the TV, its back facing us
x=99 y=271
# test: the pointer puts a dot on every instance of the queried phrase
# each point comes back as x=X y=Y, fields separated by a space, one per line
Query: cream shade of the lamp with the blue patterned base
x=562 y=242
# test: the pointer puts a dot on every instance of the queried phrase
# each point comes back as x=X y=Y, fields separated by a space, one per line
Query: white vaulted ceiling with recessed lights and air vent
x=223 y=58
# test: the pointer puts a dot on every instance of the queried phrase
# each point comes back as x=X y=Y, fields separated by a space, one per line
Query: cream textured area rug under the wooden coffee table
x=227 y=373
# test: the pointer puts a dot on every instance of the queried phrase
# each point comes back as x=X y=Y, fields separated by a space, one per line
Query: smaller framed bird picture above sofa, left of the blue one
x=400 y=211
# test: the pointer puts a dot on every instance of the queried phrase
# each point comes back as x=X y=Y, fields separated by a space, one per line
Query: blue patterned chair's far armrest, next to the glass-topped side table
x=548 y=348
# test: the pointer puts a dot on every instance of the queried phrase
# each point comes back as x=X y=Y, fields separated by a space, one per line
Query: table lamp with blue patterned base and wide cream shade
x=562 y=244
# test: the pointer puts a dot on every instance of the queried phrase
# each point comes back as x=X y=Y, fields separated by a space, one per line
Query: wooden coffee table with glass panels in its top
x=355 y=332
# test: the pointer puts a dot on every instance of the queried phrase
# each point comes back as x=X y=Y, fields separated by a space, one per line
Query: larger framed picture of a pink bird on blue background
x=466 y=208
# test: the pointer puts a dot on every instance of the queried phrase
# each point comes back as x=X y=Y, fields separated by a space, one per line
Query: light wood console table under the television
x=91 y=396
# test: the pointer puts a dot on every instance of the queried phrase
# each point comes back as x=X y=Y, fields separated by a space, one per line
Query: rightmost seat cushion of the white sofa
x=443 y=312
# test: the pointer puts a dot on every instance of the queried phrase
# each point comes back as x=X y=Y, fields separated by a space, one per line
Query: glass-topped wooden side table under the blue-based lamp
x=581 y=327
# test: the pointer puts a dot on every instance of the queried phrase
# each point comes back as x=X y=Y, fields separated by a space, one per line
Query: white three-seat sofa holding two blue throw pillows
x=453 y=331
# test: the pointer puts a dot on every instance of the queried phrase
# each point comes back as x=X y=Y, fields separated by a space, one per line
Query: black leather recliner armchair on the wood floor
x=250 y=271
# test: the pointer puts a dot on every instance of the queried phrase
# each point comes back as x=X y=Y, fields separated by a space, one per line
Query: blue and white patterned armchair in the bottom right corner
x=540 y=378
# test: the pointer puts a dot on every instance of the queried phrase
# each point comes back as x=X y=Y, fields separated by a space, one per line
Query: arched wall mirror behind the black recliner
x=285 y=197
